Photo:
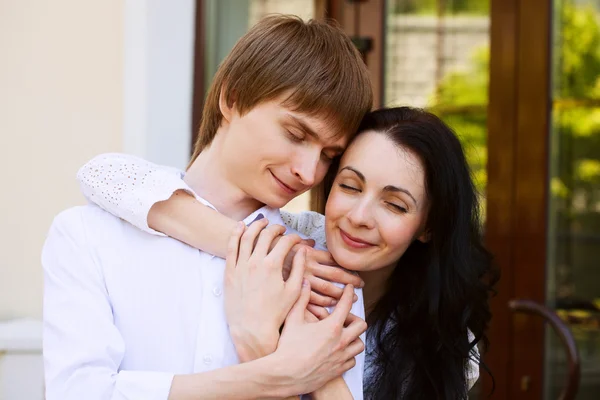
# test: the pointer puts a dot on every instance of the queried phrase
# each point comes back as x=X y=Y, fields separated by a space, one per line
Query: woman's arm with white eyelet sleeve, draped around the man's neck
x=154 y=199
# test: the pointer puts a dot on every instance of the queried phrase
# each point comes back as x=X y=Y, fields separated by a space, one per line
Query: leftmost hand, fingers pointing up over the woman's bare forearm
x=257 y=299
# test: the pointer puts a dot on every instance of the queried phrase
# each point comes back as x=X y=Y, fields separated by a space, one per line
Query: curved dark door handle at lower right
x=566 y=337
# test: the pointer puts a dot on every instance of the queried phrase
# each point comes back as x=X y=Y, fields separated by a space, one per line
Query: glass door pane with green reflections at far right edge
x=573 y=268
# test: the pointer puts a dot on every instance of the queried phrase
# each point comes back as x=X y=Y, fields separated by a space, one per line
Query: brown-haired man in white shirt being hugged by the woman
x=128 y=315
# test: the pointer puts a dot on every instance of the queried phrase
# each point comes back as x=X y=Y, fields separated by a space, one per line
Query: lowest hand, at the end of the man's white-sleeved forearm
x=313 y=353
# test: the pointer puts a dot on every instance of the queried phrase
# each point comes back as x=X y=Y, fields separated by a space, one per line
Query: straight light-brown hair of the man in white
x=315 y=62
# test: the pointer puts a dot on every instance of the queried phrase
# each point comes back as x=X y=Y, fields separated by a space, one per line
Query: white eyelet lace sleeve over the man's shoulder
x=128 y=186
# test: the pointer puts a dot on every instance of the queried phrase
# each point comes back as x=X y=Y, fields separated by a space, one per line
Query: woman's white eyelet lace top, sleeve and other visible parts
x=127 y=187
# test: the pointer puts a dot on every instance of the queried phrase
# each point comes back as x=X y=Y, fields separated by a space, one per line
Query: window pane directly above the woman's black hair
x=437 y=57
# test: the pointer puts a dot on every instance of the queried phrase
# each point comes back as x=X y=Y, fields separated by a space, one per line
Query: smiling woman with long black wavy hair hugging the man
x=401 y=211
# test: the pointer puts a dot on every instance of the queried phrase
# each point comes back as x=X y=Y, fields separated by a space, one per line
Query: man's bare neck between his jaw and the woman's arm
x=207 y=177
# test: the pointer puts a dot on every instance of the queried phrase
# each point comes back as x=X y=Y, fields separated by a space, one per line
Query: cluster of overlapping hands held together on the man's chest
x=268 y=281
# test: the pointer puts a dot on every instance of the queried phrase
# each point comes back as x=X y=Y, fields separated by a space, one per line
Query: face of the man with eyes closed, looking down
x=274 y=154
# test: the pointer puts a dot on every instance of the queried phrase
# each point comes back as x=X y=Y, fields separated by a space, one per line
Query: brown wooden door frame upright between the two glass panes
x=517 y=191
